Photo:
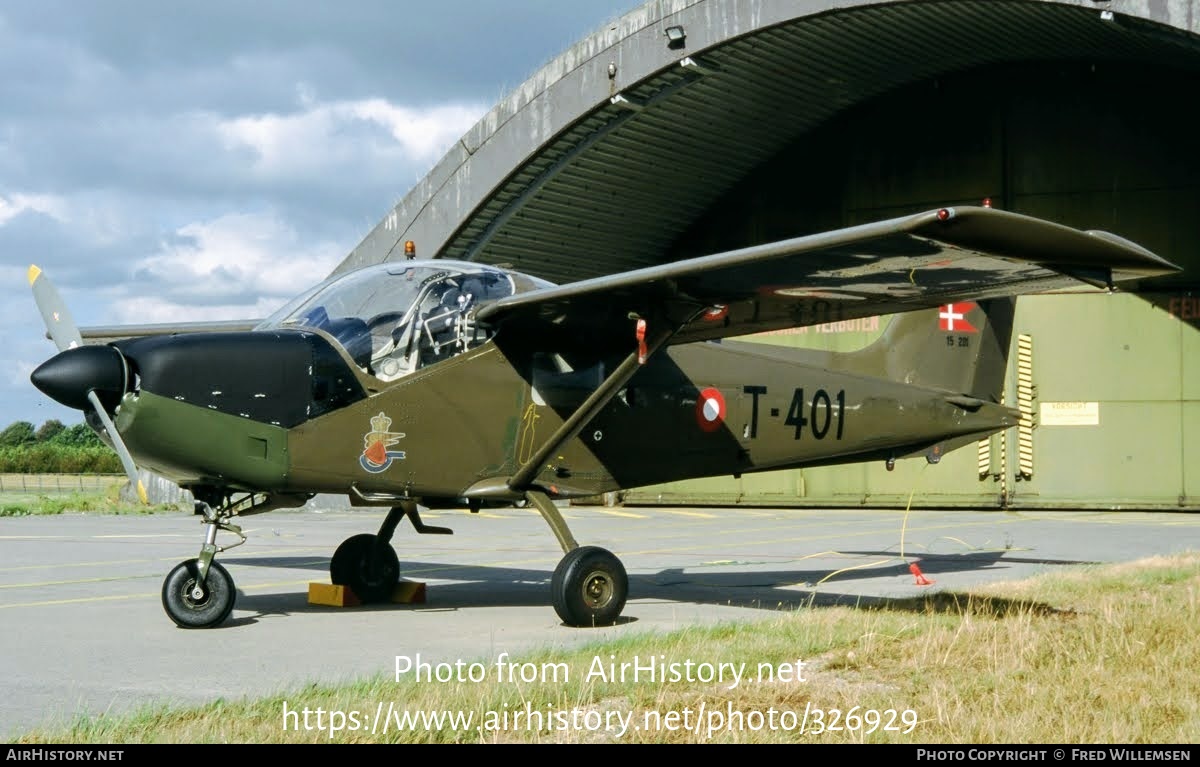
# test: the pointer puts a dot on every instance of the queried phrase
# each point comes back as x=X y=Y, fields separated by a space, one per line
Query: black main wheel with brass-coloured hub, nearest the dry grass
x=590 y=588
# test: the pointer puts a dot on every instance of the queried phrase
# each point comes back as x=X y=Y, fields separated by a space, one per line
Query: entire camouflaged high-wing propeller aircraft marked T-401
x=453 y=385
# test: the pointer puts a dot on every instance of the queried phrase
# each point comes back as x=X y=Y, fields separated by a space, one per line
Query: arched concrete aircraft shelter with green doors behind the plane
x=694 y=127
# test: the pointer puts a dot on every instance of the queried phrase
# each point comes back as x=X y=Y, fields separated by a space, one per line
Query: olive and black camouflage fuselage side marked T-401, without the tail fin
x=699 y=410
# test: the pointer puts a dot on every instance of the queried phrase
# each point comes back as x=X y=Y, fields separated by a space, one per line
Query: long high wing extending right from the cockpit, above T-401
x=897 y=266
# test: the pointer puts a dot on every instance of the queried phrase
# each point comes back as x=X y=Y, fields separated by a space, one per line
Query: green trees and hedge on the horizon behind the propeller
x=56 y=448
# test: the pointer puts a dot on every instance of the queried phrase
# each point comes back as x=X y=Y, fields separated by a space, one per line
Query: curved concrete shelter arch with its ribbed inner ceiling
x=610 y=153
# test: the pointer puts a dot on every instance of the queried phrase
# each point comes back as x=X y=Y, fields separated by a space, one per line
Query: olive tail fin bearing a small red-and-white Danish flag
x=959 y=349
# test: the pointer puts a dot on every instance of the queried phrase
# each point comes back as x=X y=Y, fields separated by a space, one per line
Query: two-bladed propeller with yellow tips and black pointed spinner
x=80 y=375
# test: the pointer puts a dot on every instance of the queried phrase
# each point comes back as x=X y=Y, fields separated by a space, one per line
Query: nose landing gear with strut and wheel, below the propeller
x=200 y=594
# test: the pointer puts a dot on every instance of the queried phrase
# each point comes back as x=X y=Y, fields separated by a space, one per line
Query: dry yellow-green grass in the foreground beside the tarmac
x=1096 y=655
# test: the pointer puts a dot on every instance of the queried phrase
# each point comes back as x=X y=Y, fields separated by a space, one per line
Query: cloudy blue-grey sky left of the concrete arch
x=169 y=161
